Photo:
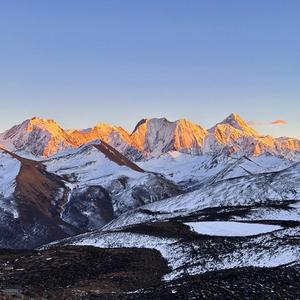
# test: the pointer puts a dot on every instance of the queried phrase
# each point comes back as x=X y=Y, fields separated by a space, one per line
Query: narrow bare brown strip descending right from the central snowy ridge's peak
x=117 y=157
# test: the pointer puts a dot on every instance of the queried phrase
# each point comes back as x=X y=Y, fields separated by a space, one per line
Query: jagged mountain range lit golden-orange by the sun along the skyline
x=150 y=138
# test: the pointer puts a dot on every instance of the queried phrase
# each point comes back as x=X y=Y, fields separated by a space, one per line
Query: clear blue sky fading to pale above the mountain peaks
x=117 y=61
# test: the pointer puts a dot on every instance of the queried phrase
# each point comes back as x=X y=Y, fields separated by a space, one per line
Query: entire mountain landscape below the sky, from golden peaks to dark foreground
x=160 y=212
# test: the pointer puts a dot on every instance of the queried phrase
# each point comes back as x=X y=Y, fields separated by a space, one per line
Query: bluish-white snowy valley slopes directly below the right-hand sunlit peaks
x=192 y=170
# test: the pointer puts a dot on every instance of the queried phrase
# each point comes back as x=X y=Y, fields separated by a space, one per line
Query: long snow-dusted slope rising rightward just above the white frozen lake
x=263 y=189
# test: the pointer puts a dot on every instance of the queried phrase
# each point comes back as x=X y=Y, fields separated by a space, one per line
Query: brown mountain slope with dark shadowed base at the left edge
x=38 y=198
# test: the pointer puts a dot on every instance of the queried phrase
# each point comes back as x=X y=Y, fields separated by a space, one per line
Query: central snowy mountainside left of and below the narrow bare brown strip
x=88 y=166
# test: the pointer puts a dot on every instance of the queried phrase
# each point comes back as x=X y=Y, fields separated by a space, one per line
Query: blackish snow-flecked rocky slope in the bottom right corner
x=243 y=283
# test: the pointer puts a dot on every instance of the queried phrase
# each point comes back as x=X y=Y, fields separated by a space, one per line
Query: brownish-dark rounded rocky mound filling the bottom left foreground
x=78 y=272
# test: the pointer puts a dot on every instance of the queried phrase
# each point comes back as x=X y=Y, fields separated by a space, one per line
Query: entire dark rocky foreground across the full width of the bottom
x=93 y=273
